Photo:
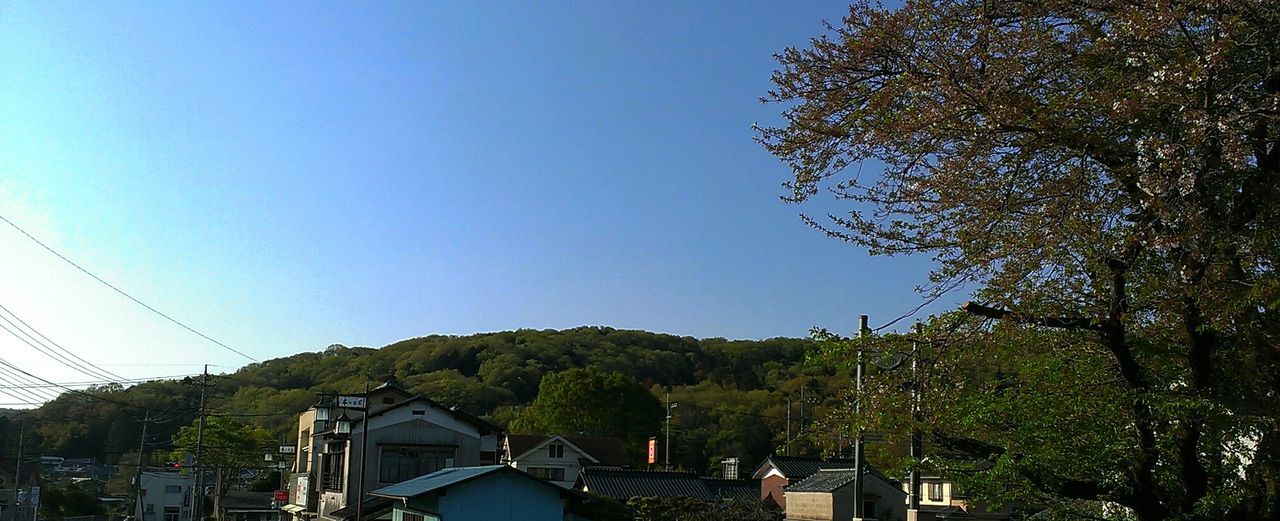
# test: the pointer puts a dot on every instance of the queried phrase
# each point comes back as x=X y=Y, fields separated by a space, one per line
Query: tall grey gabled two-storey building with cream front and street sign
x=408 y=437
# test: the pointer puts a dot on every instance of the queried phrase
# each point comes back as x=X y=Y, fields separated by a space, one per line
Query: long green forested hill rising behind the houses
x=733 y=392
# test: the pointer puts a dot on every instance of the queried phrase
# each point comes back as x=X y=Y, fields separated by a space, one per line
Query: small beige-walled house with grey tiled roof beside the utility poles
x=829 y=496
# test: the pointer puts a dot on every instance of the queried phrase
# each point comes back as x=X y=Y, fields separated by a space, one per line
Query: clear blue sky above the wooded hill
x=289 y=176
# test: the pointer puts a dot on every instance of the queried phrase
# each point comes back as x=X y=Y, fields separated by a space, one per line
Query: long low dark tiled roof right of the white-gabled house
x=625 y=485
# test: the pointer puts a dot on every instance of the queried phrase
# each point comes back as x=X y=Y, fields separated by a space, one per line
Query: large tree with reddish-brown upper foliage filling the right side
x=1107 y=176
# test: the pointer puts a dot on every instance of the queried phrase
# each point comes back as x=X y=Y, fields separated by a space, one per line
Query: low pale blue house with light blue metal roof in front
x=486 y=493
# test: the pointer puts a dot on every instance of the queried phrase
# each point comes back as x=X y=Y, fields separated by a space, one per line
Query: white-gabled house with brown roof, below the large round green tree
x=560 y=459
